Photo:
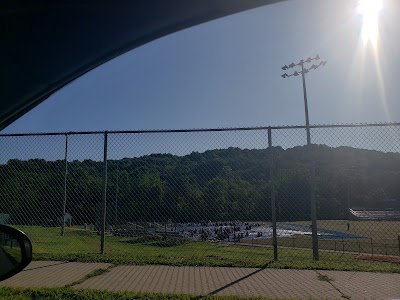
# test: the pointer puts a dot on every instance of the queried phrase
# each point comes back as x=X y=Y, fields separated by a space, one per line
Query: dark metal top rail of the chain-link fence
x=201 y=129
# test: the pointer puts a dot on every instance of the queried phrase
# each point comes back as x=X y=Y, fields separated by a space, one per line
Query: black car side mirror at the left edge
x=15 y=251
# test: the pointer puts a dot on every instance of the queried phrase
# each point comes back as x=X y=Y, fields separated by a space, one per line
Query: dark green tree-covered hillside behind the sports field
x=217 y=185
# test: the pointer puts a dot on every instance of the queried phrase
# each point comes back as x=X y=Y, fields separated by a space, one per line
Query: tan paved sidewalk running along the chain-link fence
x=273 y=283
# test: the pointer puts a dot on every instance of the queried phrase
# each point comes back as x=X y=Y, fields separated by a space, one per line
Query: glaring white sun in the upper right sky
x=369 y=9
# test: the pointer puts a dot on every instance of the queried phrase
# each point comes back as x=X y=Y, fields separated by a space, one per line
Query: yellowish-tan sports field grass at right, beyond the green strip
x=378 y=237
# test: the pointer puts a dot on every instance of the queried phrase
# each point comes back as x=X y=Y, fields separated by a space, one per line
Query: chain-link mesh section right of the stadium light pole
x=358 y=195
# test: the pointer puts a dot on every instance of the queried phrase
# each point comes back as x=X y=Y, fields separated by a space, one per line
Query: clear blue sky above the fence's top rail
x=227 y=73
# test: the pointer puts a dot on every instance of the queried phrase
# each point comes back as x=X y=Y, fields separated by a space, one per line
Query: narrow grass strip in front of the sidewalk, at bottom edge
x=68 y=293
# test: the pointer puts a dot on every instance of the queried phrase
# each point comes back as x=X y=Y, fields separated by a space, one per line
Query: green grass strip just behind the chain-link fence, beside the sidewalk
x=84 y=246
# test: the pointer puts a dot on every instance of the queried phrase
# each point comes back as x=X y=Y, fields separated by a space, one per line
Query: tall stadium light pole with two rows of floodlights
x=312 y=192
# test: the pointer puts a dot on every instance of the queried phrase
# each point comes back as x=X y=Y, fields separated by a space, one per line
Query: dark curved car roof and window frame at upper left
x=47 y=44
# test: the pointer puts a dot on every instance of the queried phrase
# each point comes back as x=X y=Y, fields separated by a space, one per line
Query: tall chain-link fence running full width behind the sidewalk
x=227 y=197
